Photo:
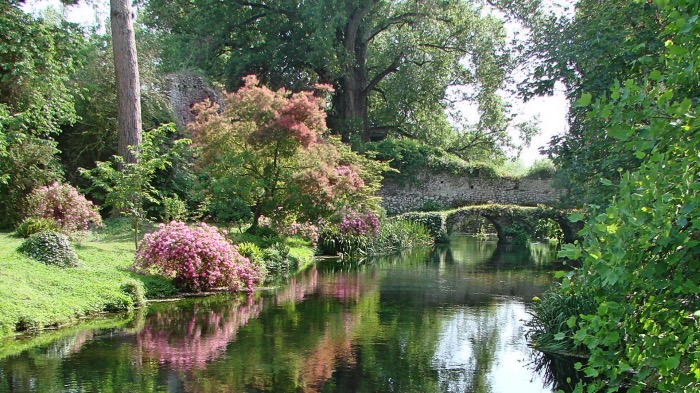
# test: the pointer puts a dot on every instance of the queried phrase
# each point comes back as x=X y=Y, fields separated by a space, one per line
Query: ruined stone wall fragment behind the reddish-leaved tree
x=186 y=90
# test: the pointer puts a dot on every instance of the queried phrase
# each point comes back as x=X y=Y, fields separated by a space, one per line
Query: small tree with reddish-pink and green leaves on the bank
x=268 y=149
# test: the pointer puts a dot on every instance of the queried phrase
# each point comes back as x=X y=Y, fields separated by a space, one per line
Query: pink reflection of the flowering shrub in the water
x=206 y=334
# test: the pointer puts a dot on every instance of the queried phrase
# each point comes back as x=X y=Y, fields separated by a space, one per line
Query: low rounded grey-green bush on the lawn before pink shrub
x=50 y=248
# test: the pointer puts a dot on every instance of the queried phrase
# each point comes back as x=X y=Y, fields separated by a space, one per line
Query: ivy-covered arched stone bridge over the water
x=507 y=220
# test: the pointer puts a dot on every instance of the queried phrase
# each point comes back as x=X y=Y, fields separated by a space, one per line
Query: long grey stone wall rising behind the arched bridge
x=449 y=191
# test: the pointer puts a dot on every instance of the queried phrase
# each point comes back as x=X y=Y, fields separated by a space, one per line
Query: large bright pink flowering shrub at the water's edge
x=199 y=258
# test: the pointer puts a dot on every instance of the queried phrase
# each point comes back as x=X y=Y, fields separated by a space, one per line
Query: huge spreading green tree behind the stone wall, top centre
x=391 y=62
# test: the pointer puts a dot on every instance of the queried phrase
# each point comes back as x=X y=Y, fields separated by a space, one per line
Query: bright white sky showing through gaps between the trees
x=550 y=110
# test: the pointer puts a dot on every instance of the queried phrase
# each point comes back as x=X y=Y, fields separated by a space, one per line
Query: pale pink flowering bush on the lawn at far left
x=65 y=205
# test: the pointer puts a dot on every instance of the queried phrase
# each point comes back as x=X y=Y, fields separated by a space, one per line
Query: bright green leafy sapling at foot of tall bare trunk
x=129 y=186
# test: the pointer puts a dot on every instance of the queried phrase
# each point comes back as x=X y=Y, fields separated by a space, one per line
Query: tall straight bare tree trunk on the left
x=127 y=76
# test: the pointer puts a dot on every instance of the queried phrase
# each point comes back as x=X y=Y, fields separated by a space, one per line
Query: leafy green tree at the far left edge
x=37 y=57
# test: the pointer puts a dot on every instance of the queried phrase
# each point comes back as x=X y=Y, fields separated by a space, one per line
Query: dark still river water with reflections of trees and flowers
x=443 y=320
